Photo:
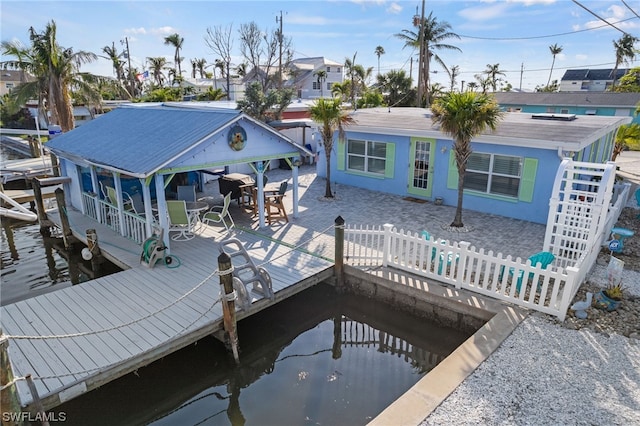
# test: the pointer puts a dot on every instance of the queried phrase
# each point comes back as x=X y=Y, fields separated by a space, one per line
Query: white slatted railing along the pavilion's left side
x=131 y=226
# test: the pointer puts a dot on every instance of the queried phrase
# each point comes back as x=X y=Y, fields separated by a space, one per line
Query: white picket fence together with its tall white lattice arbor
x=578 y=226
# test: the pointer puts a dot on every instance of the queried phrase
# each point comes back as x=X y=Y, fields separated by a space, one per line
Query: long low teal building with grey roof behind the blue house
x=579 y=103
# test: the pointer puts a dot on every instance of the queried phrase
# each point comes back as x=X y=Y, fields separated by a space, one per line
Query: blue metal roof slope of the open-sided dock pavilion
x=140 y=139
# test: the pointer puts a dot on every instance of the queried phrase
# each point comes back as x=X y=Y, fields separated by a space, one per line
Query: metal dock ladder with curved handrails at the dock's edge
x=246 y=272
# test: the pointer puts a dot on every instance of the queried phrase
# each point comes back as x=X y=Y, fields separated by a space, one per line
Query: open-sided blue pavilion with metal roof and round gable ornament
x=143 y=147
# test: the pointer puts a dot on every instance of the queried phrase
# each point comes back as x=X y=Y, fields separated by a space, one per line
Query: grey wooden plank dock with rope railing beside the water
x=76 y=339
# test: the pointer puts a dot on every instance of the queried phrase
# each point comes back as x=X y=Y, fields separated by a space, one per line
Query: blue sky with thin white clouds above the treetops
x=516 y=34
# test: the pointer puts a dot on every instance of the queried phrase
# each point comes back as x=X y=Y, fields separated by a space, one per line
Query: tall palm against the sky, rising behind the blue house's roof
x=434 y=35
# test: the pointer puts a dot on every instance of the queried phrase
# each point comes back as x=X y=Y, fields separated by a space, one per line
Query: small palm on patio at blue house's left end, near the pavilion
x=331 y=116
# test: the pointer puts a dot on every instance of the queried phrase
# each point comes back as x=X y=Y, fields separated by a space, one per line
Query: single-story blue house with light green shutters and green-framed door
x=511 y=171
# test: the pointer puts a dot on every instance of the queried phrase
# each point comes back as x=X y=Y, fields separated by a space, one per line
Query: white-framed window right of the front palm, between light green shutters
x=493 y=174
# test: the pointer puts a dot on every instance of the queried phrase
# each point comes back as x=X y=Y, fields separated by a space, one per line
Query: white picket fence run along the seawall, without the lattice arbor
x=463 y=266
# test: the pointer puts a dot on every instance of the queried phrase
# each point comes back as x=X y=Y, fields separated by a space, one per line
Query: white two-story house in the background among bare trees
x=305 y=81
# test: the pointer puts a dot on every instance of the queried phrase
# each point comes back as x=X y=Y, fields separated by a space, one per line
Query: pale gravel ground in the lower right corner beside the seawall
x=578 y=372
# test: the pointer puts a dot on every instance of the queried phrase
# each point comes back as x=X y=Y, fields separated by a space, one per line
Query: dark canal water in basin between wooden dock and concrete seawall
x=317 y=358
